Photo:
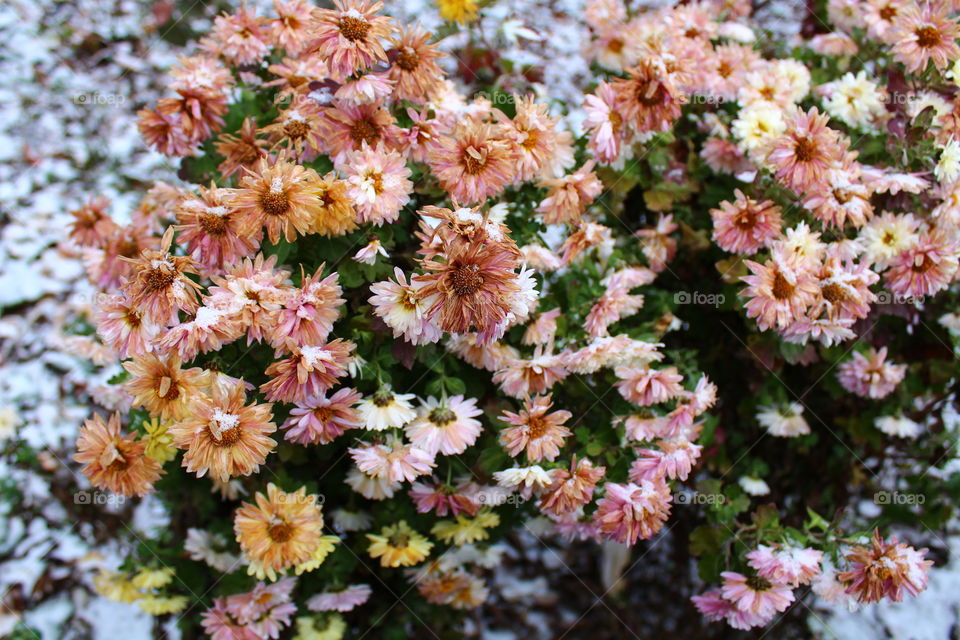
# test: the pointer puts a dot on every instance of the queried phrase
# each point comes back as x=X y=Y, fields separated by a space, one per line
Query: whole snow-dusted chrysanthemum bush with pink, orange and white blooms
x=392 y=315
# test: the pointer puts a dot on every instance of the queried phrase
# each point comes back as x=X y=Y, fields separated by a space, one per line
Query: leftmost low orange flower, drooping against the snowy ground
x=113 y=461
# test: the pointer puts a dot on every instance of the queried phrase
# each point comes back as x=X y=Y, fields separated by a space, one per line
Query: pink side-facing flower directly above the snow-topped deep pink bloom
x=309 y=312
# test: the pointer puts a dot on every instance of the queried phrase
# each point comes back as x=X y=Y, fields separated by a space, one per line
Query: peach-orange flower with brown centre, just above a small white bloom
x=536 y=430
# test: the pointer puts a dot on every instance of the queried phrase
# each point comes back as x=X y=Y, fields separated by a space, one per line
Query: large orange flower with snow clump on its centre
x=223 y=435
